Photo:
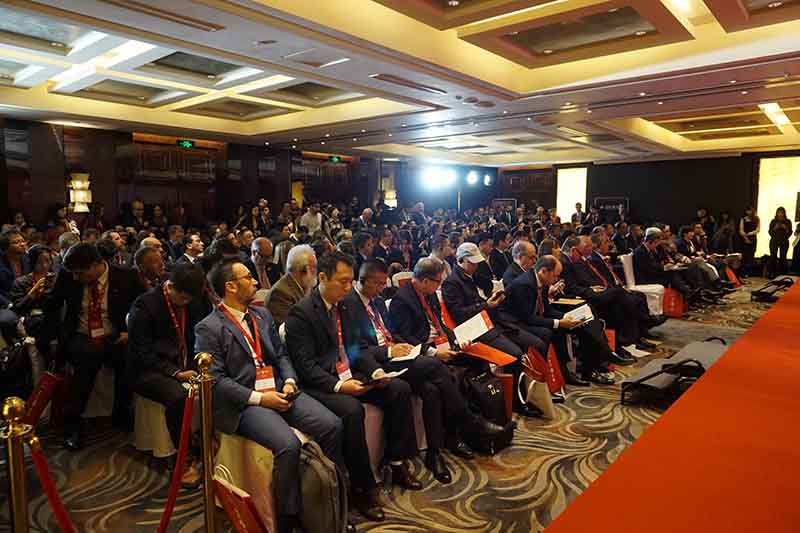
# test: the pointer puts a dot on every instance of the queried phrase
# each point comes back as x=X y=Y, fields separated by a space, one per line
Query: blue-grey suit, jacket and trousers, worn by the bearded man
x=234 y=373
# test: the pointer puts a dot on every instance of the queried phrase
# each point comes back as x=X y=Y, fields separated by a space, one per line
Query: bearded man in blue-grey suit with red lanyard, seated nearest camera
x=253 y=376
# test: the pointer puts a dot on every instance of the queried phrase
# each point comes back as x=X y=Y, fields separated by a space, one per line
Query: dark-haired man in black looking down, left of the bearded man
x=161 y=339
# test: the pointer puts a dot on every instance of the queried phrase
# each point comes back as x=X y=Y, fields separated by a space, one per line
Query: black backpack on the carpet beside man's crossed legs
x=484 y=394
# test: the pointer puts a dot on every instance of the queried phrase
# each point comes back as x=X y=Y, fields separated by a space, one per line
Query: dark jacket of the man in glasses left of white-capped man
x=407 y=319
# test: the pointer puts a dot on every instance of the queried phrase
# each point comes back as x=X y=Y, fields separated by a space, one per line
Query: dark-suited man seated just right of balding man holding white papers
x=615 y=305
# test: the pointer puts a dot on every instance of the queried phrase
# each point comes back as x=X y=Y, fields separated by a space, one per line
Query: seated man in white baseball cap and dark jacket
x=460 y=295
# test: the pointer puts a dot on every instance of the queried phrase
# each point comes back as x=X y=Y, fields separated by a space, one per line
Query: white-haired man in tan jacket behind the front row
x=300 y=278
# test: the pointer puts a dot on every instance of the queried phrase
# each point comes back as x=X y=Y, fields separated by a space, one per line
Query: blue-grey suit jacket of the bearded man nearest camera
x=233 y=368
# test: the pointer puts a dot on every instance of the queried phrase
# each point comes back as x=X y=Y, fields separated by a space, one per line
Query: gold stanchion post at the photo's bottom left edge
x=13 y=436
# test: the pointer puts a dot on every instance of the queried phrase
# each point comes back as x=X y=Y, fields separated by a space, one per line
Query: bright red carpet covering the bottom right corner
x=723 y=458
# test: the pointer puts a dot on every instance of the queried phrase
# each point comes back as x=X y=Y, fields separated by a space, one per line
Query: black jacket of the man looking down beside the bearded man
x=152 y=339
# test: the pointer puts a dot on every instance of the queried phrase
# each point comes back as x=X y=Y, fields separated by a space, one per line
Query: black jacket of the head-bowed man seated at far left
x=123 y=288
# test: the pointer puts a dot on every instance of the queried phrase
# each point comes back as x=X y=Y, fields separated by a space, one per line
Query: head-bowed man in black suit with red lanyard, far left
x=93 y=332
